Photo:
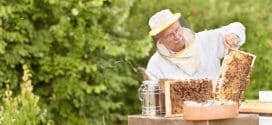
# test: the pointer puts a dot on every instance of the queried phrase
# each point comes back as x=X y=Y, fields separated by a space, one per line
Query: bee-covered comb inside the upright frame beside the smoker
x=199 y=90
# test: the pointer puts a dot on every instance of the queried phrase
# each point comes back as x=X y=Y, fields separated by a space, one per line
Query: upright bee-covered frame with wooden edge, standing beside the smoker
x=178 y=91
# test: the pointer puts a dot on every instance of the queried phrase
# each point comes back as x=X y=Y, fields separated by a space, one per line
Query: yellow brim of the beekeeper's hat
x=169 y=23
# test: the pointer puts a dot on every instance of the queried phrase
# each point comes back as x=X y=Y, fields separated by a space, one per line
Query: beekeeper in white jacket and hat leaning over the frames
x=183 y=54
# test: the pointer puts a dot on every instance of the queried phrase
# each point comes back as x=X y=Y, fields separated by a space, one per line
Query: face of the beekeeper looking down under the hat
x=172 y=37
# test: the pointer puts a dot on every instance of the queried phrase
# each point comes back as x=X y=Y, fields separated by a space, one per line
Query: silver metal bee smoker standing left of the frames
x=149 y=95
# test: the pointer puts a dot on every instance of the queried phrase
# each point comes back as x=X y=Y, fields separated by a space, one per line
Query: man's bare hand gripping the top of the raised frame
x=231 y=40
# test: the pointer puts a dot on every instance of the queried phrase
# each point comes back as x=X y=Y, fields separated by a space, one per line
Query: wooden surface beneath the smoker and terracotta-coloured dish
x=242 y=119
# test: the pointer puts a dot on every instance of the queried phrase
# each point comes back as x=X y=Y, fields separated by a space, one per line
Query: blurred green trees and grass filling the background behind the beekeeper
x=83 y=57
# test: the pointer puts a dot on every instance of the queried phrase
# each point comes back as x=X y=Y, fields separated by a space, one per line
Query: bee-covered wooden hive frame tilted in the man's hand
x=234 y=75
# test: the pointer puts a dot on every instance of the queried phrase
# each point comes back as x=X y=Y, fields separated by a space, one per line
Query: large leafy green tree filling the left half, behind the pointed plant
x=81 y=57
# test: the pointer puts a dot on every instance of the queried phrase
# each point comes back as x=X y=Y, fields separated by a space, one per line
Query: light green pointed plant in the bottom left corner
x=22 y=109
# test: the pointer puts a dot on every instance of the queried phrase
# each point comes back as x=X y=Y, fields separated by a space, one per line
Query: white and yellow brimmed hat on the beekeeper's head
x=162 y=20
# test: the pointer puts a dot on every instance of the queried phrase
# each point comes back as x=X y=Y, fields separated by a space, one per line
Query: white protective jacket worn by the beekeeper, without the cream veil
x=211 y=49
